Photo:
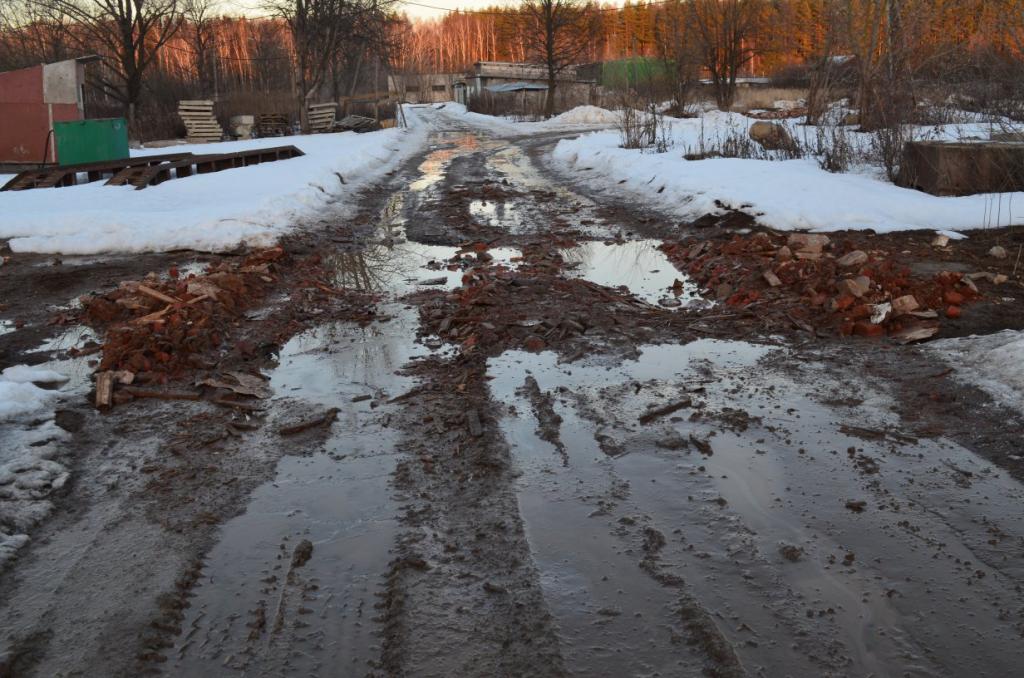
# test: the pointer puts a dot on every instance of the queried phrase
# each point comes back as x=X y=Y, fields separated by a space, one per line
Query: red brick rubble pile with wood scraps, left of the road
x=163 y=325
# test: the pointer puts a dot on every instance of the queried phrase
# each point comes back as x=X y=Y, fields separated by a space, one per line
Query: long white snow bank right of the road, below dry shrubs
x=784 y=195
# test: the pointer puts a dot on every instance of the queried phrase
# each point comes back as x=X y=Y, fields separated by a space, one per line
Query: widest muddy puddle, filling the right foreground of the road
x=749 y=503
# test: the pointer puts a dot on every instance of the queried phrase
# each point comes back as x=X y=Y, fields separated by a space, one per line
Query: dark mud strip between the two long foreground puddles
x=463 y=597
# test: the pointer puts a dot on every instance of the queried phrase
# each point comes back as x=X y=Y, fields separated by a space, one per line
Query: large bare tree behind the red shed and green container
x=130 y=33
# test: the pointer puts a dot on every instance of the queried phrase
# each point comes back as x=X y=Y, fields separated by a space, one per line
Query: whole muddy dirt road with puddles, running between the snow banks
x=542 y=461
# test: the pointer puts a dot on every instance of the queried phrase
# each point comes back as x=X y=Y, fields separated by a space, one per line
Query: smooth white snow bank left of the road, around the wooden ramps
x=210 y=213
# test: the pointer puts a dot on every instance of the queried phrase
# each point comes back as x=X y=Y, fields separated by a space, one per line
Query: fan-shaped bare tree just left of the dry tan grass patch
x=724 y=32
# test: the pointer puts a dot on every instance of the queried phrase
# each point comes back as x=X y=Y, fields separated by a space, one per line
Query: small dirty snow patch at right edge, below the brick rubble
x=994 y=363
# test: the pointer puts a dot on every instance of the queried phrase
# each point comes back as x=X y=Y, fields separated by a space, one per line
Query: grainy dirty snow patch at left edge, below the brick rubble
x=29 y=471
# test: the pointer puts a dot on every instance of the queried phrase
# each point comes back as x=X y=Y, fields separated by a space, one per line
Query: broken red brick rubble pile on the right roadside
x=825 y=285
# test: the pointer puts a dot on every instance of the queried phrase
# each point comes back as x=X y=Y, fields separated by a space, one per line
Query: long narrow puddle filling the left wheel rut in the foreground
x=250 y=614
